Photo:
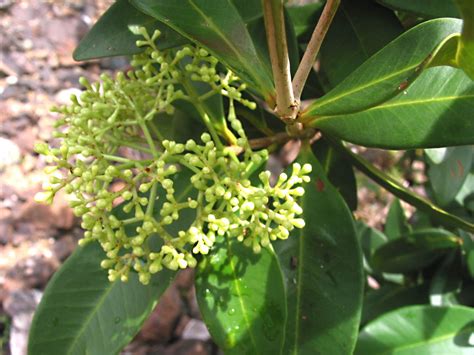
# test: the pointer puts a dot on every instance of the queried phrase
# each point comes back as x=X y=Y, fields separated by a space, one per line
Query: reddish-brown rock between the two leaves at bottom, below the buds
x=158 y=328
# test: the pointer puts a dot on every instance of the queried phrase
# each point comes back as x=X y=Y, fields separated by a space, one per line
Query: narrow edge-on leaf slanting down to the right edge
x=390 y=184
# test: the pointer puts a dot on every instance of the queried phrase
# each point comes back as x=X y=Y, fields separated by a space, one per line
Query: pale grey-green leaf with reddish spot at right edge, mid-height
x=447 y=178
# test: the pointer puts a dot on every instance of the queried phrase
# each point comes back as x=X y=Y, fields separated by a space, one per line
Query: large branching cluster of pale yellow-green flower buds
x=146 y=232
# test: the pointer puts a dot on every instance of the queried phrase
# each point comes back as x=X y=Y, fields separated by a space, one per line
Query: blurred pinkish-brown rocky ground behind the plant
x=37 y=71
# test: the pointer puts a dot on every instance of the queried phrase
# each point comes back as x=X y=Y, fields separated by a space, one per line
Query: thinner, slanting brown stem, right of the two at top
x=314 y=45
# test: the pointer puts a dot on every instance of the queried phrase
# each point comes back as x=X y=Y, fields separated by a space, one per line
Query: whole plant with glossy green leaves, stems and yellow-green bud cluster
x=166 y=166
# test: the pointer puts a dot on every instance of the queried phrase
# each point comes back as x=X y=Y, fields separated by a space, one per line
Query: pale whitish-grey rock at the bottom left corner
x=20 y=305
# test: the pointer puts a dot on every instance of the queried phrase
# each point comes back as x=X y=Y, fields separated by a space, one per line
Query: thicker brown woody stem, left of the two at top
x=286 y=107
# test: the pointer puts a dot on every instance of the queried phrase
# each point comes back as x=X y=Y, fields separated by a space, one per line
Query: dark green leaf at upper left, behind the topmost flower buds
x=113 y=33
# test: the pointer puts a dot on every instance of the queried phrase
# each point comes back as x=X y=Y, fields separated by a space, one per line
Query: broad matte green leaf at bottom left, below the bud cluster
x=81 y=312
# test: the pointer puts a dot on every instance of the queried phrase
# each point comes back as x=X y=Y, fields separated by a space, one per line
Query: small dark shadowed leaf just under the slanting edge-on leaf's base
x=338 y=170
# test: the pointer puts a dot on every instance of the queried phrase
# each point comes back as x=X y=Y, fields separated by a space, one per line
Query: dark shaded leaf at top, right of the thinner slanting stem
x=359 y=30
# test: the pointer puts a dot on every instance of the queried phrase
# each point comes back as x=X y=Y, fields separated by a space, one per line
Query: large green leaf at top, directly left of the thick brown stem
x=218 y=26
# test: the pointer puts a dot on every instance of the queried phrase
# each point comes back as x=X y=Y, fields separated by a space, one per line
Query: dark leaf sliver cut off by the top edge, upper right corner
x=425 y=8
